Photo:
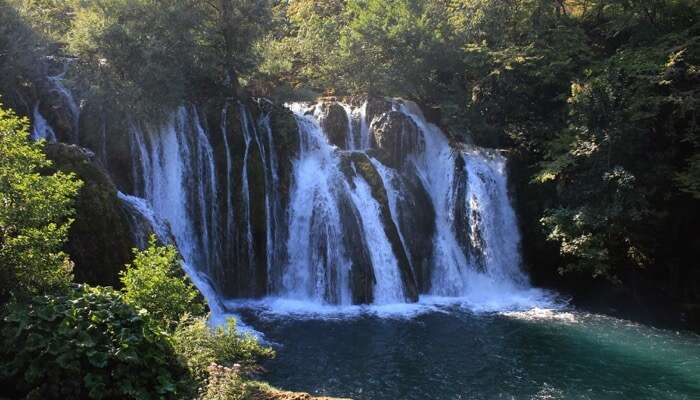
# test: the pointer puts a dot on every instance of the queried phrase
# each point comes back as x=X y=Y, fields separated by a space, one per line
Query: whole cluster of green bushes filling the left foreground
x=61 y=340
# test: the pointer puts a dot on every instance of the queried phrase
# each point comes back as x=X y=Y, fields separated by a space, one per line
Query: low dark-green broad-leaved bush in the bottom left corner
x=86 y=344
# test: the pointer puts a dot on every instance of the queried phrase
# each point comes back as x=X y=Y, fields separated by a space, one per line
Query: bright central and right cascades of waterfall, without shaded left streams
x=475 y=246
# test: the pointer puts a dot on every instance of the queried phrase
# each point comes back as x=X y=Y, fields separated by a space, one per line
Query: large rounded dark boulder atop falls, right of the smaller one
x=395 y=136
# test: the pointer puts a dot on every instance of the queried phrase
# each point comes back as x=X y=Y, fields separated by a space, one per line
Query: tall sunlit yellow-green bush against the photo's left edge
x=34 y=216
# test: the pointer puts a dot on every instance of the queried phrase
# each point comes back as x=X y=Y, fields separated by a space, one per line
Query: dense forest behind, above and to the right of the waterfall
x=595 y=99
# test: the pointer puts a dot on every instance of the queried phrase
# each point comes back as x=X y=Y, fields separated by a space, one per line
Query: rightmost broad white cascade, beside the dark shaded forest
x=491 y=217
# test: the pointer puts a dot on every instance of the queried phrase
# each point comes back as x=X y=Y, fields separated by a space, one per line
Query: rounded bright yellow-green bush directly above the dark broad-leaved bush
x=155 y=283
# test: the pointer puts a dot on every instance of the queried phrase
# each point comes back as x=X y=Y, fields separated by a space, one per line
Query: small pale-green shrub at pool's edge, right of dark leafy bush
x=201 y=346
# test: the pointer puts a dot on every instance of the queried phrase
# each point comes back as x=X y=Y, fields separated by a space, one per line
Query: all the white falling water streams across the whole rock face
x=175 y=175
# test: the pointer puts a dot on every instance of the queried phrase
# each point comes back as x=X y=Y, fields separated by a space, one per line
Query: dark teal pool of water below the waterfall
x=453 y=352
